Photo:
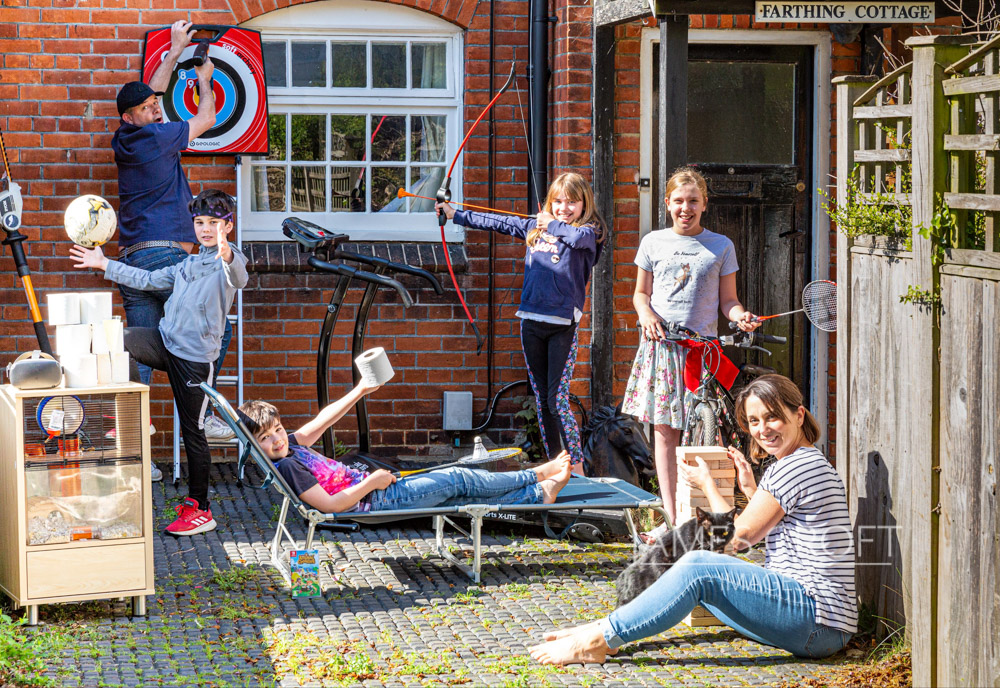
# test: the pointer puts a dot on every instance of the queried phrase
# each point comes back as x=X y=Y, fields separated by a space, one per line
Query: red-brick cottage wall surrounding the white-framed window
x=63 y=61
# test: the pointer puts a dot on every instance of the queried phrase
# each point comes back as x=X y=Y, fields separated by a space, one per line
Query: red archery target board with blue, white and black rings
x=238 y=84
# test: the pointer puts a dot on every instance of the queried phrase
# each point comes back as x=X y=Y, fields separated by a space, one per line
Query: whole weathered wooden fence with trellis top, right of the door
x=918 y=377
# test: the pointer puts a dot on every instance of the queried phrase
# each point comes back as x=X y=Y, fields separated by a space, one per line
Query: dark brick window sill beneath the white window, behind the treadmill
x=285 y=257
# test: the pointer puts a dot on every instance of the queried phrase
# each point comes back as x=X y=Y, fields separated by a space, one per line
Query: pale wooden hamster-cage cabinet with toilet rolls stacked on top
x=76 y=516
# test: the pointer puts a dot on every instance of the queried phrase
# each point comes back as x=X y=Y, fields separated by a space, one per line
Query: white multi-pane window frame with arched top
x=367 y=22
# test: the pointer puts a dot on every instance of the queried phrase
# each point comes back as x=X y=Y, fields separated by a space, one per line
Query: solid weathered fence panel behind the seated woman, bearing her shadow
x=880 y=430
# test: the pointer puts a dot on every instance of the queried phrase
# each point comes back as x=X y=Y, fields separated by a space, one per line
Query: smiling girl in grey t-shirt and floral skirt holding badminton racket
x=686 y=275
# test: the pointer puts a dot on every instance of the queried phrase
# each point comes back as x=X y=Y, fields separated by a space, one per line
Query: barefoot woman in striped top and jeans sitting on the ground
x=803 y=599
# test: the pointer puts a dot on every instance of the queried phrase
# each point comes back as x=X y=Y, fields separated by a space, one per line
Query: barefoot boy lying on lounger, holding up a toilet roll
x=332 y=487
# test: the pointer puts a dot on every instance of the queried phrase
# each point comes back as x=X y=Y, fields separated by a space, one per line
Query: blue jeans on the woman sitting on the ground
x=762 y=605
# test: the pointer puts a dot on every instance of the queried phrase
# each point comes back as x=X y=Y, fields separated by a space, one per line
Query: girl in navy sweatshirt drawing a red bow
x=563 y=242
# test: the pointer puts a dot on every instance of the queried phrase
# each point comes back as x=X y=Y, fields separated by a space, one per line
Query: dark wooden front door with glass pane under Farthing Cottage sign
x=749 y=134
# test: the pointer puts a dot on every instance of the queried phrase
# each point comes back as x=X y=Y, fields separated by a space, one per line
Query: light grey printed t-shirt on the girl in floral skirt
x=686 y=272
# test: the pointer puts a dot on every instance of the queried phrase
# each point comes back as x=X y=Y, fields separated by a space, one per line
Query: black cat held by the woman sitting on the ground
x=707 y=530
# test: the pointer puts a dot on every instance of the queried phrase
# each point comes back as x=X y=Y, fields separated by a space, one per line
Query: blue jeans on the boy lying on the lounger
x=456 y=485
